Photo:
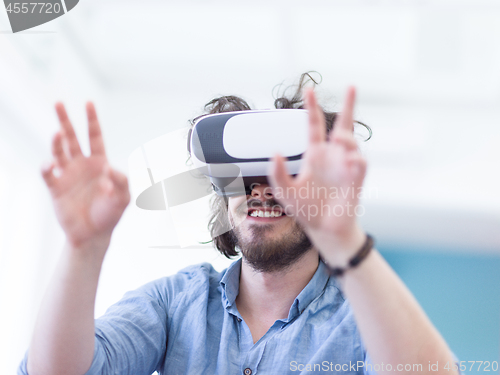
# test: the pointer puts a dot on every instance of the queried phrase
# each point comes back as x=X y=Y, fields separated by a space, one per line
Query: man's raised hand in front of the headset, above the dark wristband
x=332 y=174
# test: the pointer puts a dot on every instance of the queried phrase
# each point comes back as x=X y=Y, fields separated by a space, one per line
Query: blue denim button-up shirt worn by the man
x=188 y=324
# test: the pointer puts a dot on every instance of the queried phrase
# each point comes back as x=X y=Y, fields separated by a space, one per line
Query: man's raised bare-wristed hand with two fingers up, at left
x=89 y=196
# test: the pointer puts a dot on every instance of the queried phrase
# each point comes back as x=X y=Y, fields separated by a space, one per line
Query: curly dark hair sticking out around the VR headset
x=226 y=242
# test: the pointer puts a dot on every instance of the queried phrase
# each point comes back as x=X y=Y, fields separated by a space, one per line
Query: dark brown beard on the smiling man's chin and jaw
x=265 y=253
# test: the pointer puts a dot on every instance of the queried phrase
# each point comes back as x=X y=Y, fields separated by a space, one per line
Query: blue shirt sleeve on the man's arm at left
x=131 y=337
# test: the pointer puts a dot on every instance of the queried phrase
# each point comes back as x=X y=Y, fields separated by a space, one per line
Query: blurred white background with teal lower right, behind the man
x=428 y=80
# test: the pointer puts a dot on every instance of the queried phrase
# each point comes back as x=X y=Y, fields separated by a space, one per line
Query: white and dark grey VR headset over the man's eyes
x=234 y=149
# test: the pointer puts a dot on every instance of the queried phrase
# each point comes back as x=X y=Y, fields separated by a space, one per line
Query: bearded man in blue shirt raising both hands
x=282 y=308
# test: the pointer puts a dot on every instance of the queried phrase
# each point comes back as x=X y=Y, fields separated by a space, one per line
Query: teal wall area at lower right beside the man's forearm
x=460 y=292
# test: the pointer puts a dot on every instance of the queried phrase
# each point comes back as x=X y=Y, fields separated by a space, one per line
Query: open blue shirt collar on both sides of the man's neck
x=230 y=283
